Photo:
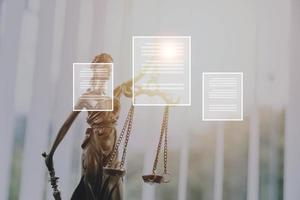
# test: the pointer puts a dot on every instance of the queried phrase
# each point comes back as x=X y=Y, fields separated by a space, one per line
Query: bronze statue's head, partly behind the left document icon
x=101 y=72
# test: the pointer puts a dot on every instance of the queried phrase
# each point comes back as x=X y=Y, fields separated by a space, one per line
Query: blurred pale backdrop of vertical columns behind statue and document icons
x=254 y=159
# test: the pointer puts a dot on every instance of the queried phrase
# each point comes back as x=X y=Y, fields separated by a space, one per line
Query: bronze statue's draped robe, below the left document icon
x=98 y=145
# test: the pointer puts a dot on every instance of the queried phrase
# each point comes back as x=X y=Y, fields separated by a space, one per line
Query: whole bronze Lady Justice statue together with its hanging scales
x=102 y=170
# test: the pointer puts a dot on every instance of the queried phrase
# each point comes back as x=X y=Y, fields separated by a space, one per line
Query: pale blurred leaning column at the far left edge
x=9 y=46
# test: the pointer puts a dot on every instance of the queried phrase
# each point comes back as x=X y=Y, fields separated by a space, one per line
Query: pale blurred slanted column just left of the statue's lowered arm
x=37 y=130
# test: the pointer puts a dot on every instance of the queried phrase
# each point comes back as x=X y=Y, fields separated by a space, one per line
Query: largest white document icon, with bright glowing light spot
x=161 y=67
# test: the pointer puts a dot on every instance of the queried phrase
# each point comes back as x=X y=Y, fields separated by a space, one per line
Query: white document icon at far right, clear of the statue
x=222 y=96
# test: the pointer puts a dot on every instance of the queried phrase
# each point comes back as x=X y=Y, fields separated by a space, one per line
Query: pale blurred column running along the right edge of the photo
x=292 y=135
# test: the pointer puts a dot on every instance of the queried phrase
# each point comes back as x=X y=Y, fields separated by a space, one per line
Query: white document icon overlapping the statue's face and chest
x=93 y=86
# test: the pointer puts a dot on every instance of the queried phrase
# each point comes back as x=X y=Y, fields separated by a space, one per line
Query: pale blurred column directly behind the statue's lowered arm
x=64 y=98
